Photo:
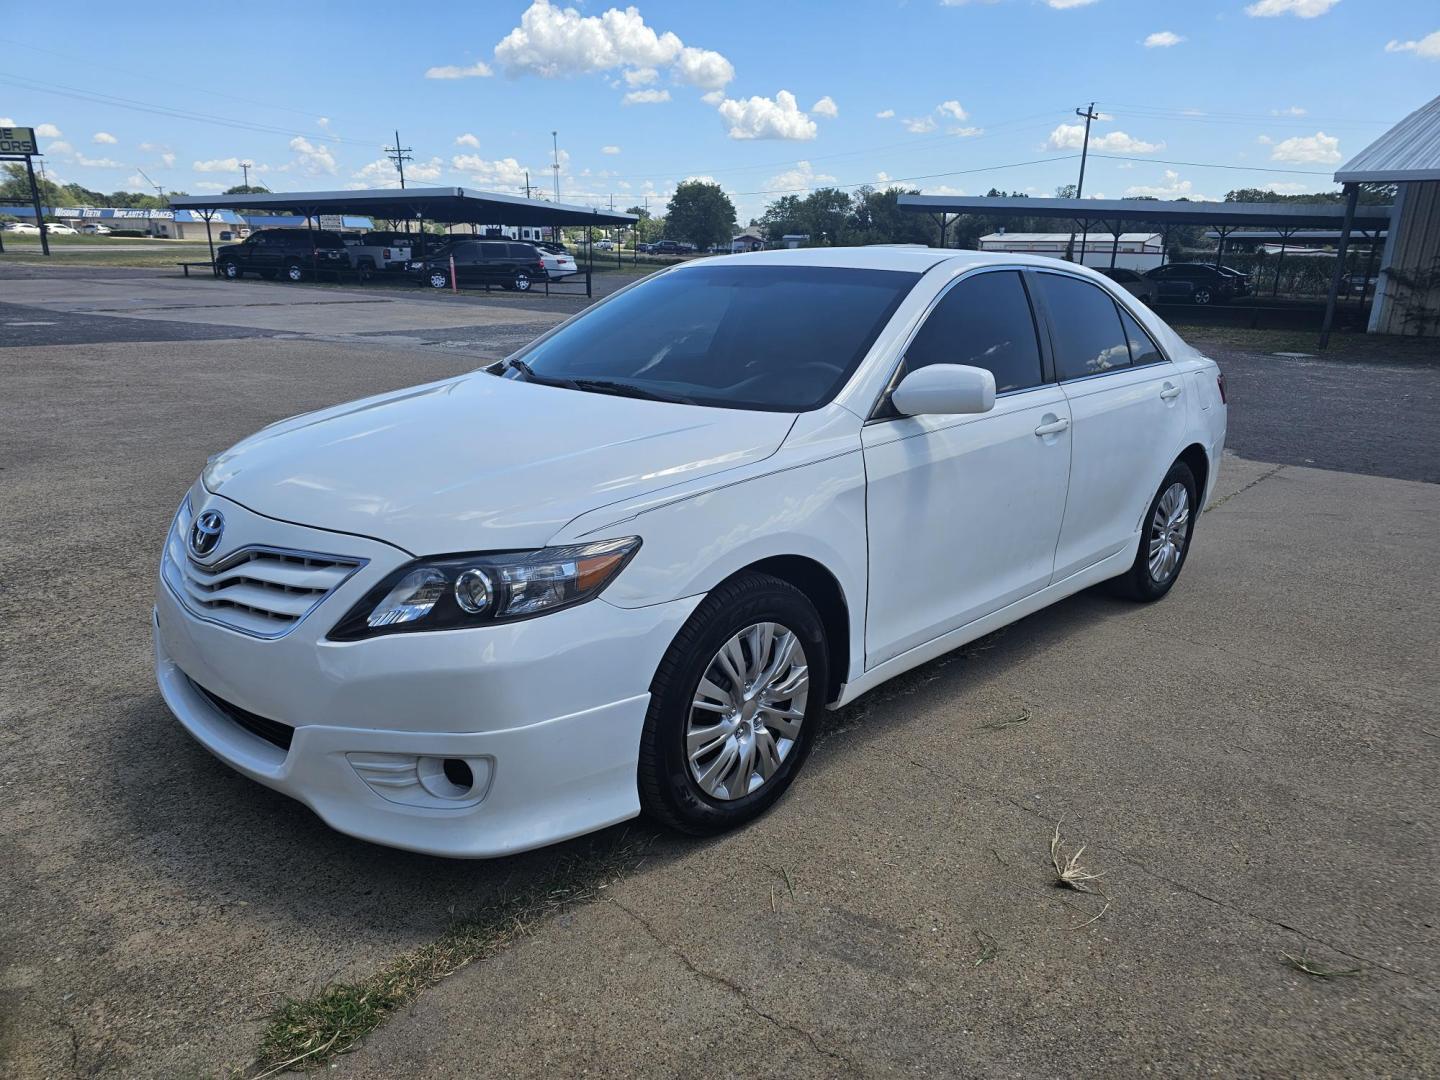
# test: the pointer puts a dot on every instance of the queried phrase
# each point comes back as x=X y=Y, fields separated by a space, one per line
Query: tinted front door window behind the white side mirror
x=984 y=322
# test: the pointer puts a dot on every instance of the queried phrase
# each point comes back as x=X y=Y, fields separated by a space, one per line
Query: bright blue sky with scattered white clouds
x=762 y=97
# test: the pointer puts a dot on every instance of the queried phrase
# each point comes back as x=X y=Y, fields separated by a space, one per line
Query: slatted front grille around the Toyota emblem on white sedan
x=260 y=591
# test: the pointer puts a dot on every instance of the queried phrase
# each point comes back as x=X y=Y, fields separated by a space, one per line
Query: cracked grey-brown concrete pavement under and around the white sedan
x=1252 y=765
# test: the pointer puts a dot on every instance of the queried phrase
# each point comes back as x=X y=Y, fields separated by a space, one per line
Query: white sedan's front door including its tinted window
x=964 y=512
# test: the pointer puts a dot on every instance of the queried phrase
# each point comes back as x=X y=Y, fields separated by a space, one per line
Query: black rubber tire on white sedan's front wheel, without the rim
x=669 y=793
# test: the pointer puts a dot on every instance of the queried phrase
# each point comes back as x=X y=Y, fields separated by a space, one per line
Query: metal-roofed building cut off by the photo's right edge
x=1408 y=299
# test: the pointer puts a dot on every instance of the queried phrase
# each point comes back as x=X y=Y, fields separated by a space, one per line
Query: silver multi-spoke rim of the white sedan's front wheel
x=748 y=711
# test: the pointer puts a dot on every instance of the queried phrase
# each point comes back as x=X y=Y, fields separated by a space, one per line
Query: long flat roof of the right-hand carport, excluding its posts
x=1262 y=215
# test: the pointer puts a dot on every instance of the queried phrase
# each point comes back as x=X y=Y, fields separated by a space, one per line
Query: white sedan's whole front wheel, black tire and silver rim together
x=734 y=706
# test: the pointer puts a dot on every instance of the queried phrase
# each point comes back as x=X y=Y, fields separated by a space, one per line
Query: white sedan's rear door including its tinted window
x=1128 y=417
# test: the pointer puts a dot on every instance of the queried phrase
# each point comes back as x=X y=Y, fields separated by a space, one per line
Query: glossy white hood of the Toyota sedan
x=482 y=463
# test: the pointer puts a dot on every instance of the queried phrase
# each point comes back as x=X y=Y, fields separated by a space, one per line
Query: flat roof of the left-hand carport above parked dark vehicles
x=446 y=205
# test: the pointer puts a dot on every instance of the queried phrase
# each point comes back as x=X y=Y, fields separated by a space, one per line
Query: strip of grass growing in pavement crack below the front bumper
x=306 y=1033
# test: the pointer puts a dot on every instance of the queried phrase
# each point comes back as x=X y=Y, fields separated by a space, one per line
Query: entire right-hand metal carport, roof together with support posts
x=1222 y=218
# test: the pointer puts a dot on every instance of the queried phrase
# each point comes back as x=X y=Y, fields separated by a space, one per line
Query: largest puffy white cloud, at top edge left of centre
x=559 y=42
